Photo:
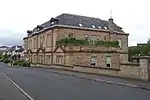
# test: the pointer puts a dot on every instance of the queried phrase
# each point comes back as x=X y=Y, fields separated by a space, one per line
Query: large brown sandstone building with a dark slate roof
x=104 y=44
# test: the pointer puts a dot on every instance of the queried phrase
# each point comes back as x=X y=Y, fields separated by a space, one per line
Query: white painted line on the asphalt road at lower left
x=19 y=88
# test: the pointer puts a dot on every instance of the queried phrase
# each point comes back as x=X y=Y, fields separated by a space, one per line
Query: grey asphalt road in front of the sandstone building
x=41 y=84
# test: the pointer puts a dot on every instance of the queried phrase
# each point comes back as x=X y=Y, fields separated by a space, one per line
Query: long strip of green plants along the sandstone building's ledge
x=74 y=41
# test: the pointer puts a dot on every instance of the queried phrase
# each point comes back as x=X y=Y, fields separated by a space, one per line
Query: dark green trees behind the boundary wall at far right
x=142 y=50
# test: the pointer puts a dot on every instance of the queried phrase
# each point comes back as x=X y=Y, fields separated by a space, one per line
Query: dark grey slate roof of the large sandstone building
x=75 y=20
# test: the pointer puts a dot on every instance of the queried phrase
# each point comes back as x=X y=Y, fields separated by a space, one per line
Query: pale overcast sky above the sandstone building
x=18 y=16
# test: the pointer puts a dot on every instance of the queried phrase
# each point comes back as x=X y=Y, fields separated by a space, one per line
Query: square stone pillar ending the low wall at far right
x=144 y=64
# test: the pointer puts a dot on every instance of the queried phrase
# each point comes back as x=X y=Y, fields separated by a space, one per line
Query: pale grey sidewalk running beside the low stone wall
x=106 y=79
